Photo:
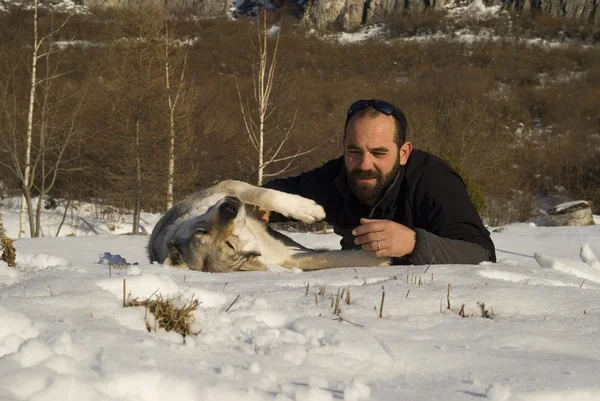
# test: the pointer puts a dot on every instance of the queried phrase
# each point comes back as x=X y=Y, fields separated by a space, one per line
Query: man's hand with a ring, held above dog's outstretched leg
x=384 y=238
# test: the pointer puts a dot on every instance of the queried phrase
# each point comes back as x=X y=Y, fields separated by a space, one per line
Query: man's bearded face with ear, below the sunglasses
x=371 y=157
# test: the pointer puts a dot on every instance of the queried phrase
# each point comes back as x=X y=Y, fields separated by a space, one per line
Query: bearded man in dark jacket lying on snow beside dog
x=393 y=200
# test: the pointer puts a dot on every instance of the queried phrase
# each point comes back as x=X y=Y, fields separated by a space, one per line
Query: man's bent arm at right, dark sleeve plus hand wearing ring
x=451 y=230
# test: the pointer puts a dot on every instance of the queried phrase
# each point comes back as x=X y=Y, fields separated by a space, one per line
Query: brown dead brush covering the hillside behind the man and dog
x=510 y=115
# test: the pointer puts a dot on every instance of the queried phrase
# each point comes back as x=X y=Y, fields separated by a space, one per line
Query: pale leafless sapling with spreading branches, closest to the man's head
x=260 y=112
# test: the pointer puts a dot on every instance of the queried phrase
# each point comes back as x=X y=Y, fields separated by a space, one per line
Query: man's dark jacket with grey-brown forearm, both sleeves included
x=426 y=196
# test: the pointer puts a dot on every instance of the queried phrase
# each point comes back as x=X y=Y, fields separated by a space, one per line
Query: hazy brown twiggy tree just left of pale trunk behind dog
x=136 y=83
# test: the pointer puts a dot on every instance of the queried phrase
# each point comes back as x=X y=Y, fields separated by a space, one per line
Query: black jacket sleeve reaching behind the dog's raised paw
x=314 y=184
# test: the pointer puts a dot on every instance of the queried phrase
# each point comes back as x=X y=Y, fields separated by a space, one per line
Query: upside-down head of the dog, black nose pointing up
x=216 y=241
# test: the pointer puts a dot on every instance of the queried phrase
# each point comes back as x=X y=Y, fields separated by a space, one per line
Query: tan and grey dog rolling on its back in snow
x=211 y=231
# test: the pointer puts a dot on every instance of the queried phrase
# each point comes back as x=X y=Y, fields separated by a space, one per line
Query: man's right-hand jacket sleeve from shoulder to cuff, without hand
x=454 y=232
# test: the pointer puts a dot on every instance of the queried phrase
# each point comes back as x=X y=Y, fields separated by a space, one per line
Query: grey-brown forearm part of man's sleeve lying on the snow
x=432 y=249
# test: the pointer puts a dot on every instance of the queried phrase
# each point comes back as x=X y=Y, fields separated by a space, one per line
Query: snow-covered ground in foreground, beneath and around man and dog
x=64 y=334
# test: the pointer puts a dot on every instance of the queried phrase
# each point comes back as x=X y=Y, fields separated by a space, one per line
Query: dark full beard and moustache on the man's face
x=367 y=192
